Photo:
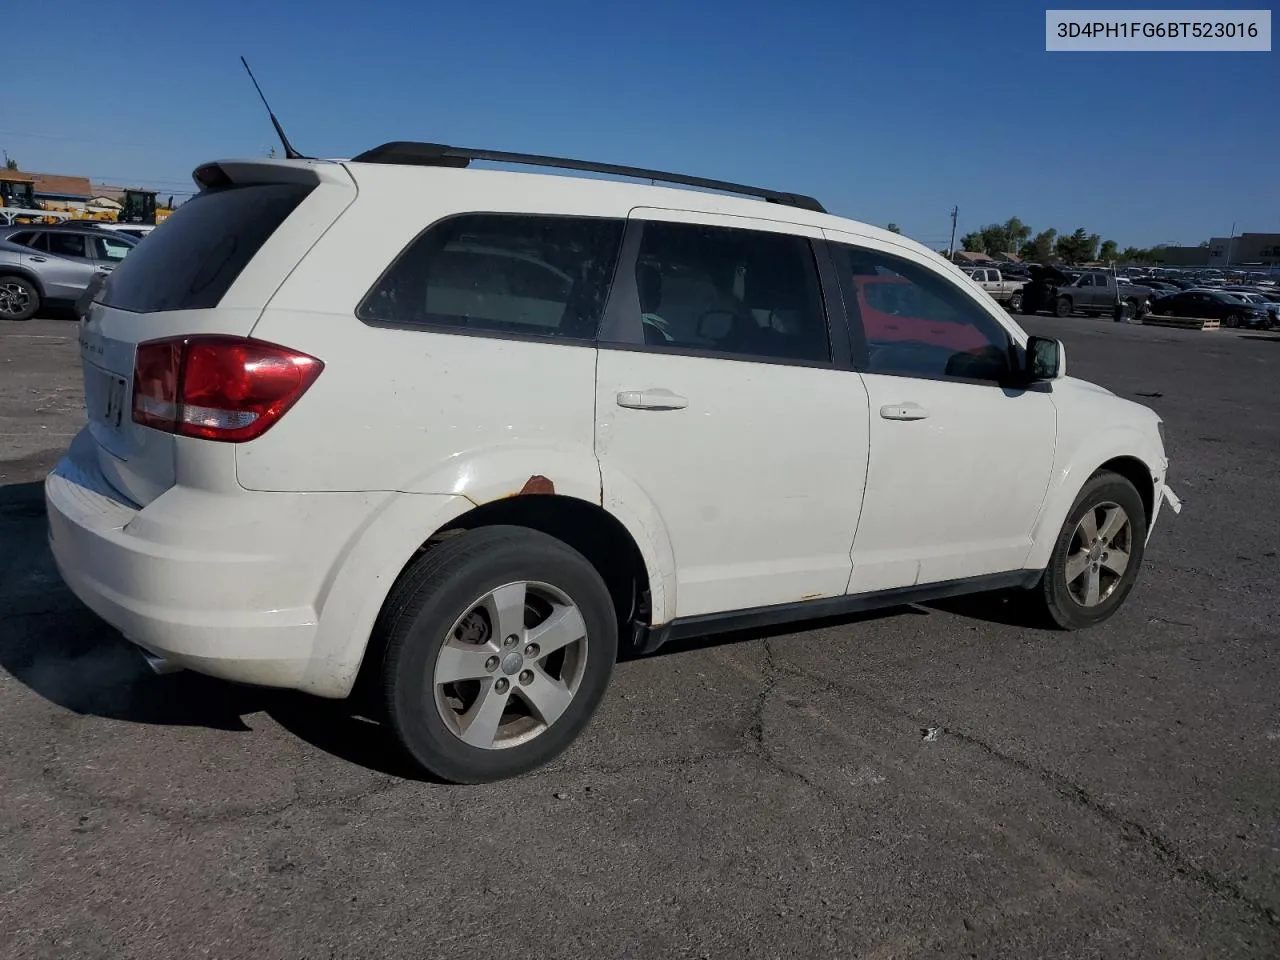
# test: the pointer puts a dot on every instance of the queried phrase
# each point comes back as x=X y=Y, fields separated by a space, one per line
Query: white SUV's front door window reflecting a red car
x=920 y=323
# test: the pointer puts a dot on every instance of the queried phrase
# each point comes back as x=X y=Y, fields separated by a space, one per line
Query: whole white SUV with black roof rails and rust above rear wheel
x=465 y=433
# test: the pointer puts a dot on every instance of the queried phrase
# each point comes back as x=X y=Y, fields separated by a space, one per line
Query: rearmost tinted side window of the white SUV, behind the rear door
x=502 y=273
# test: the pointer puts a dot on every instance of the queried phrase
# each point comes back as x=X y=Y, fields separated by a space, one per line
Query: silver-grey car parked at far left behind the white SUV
x=54 y=266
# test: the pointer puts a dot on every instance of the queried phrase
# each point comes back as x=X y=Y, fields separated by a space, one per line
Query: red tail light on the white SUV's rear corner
x=218 y=388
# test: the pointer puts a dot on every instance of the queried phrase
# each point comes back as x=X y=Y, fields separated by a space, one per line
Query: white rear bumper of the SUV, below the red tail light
x=223 y=584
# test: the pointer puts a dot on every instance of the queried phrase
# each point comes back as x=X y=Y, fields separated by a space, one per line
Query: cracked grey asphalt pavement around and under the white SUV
x=932 y=781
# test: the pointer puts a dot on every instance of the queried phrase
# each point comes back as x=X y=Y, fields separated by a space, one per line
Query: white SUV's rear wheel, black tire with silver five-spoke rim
x=449 y=595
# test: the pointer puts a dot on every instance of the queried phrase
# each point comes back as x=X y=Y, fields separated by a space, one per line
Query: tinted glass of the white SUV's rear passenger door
x=732 y=291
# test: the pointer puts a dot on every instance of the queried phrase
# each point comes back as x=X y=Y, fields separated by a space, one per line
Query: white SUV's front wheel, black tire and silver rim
x=1066 y=604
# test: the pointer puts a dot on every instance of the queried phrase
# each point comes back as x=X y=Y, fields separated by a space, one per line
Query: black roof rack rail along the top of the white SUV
x=413 y=153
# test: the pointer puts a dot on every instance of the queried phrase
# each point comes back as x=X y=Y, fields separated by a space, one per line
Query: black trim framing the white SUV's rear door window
x=623 y=330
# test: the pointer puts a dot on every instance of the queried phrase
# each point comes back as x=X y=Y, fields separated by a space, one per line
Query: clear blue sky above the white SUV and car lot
x=888 y=112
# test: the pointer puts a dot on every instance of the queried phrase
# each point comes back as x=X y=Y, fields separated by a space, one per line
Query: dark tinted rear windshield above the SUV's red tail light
x=202 y=249
